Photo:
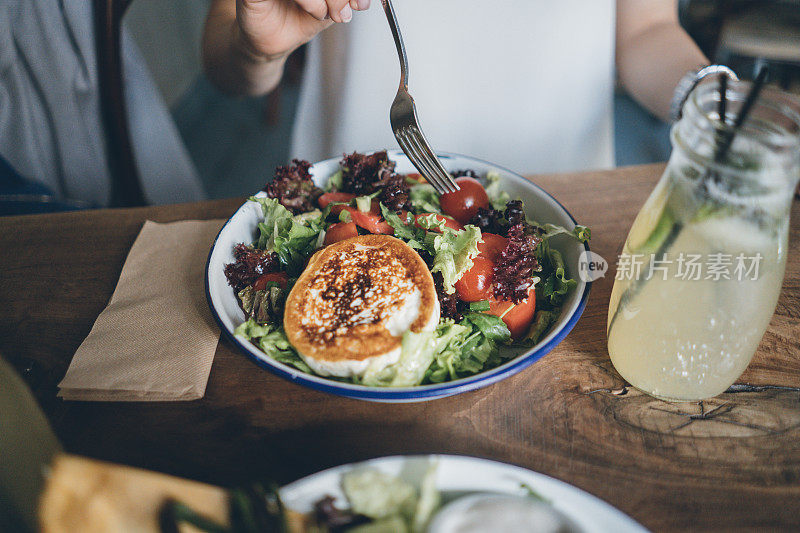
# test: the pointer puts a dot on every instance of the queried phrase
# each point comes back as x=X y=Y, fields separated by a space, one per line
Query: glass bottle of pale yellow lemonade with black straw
x=700 y=272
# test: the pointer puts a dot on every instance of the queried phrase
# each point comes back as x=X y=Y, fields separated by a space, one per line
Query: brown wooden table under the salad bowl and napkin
x=730 y=463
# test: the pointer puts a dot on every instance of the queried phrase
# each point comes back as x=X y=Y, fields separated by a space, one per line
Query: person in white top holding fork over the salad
x=527 y=84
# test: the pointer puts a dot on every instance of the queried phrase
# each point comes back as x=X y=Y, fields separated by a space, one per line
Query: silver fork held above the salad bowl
x=405 y=124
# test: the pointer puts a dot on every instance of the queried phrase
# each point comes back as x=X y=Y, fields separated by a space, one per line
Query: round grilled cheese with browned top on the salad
x=353 y=302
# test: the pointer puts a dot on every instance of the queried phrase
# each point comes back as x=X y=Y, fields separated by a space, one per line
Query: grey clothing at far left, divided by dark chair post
x=52 y=145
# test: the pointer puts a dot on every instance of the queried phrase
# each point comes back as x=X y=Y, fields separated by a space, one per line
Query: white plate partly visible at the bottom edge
x=456 y=475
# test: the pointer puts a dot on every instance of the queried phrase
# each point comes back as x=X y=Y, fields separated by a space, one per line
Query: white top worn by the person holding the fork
x=526 y=84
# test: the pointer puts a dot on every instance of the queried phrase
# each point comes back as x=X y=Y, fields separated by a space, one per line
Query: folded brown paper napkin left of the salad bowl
x=156 y=338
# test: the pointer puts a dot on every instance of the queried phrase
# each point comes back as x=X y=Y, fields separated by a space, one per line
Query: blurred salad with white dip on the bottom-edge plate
x=377 y=502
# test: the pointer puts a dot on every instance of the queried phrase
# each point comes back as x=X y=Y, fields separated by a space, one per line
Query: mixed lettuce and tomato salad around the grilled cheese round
x=498 y=280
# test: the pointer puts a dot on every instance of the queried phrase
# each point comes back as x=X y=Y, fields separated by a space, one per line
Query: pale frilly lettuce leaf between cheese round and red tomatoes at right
x=453 y=252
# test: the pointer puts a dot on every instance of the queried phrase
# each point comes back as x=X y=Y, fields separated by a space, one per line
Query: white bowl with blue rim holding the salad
x=539 y=205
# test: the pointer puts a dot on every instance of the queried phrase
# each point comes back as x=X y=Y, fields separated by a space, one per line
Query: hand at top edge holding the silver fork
x=272 y=29
